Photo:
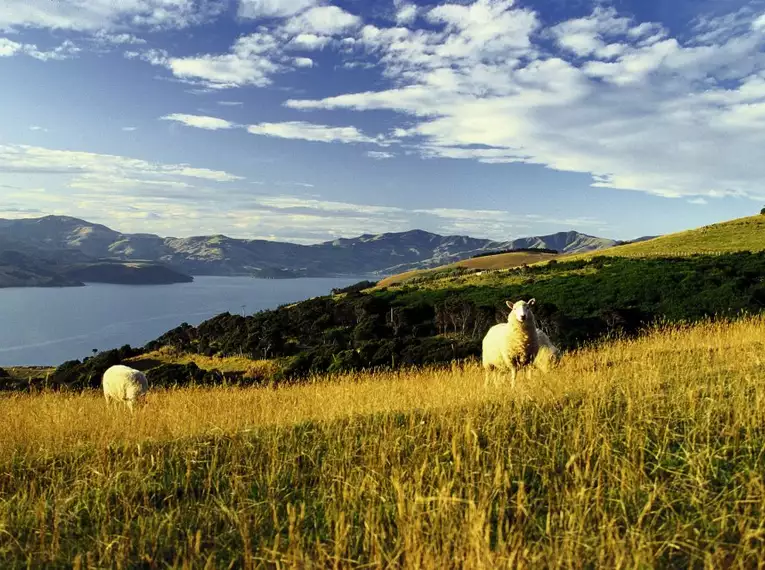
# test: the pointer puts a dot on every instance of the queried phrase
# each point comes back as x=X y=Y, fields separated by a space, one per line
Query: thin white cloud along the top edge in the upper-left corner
x=96 y=15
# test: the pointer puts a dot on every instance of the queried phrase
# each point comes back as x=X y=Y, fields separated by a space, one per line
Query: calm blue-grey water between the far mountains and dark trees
x=50 y=326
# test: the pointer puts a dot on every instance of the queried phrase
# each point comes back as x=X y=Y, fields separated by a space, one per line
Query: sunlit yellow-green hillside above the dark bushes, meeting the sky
x=742 y=234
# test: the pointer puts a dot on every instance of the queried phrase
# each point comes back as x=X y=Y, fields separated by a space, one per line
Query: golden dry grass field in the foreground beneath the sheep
x=641 y=453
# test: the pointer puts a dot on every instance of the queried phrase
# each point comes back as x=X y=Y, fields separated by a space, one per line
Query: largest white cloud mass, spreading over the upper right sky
x=618 y=99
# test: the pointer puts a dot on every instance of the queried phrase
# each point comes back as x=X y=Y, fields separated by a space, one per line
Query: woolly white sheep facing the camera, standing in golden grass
x=514 y=344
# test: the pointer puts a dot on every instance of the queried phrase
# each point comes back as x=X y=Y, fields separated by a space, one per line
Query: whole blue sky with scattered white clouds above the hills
x=305 y=120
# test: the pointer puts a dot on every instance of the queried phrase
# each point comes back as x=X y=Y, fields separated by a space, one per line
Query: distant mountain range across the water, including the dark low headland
x=57 y=250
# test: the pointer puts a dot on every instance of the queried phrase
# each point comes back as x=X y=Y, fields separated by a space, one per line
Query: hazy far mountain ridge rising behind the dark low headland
x=368 y=254
